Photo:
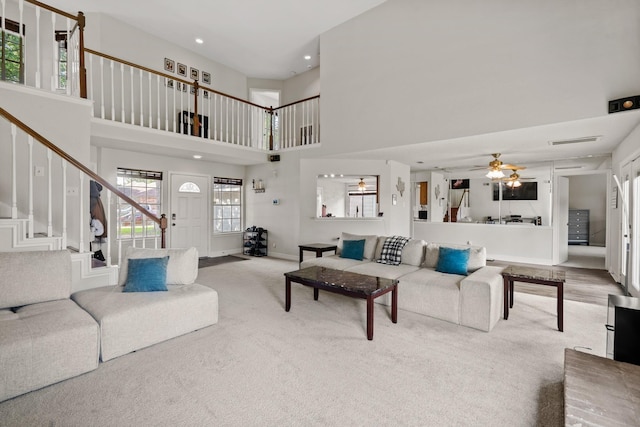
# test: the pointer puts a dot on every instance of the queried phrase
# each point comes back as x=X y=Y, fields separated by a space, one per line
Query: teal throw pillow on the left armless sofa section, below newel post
x=146 y=275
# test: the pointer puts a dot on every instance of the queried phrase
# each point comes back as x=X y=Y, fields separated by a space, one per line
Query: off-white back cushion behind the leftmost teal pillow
x=182 y=268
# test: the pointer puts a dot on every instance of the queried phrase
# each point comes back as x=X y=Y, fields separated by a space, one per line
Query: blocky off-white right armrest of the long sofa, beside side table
x=481 y=298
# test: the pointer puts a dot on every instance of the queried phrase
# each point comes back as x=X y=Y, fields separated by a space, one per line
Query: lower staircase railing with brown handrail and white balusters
x=84 y=172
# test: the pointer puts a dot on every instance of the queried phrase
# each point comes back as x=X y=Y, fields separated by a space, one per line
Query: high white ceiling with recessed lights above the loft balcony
x=262 y=39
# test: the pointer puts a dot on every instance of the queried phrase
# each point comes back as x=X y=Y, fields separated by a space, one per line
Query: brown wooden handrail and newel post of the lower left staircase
x=162 y=221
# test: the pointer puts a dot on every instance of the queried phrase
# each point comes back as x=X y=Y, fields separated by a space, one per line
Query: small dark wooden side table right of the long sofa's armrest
x=538 y=276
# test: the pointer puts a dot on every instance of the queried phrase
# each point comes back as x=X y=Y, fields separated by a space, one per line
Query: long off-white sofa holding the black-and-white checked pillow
x=474 y=300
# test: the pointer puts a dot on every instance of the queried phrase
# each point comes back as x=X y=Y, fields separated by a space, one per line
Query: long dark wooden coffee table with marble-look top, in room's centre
x=345 y=283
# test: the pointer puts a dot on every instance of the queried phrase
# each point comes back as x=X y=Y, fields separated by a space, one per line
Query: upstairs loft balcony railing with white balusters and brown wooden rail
x=130 y=93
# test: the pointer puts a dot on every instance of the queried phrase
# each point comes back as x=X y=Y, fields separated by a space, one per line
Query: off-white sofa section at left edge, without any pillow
x=44 y=336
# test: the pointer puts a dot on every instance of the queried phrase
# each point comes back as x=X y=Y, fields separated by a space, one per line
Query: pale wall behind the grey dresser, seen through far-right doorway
x=590 y=192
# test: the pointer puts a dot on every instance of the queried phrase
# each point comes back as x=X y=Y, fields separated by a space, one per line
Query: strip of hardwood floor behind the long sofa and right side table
x=582 y=284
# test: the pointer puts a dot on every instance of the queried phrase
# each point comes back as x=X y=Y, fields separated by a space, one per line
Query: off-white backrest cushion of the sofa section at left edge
x=34 y=276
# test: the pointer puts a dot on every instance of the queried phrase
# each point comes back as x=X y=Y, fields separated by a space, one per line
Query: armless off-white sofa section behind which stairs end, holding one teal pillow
x=130 y=321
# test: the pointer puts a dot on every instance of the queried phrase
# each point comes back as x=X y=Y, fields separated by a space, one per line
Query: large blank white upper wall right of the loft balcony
x=459 y=68
